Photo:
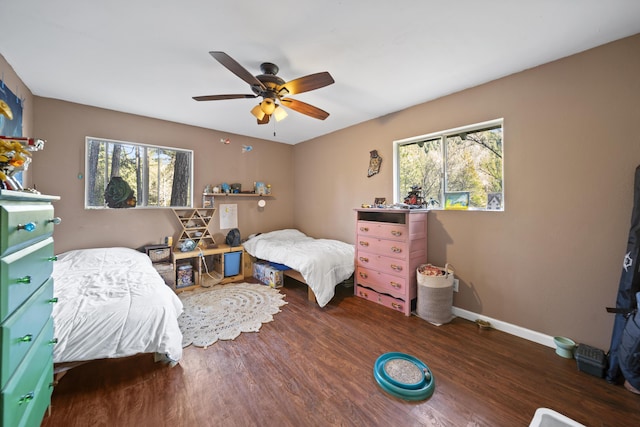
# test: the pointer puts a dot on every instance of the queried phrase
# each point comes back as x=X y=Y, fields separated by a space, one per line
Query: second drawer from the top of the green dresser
x=22 y=273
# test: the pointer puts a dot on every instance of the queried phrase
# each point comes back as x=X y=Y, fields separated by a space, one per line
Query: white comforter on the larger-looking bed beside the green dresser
x=113 y=303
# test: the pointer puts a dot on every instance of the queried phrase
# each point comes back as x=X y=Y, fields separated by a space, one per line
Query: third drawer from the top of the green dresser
x=19 y=332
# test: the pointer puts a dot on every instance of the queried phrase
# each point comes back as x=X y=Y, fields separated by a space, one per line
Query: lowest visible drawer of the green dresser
x=30 y=388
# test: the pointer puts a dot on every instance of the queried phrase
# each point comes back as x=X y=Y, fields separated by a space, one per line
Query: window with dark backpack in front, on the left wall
x=126 y=174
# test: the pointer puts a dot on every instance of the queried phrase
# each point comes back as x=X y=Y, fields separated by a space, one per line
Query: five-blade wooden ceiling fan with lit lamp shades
x=273 y=90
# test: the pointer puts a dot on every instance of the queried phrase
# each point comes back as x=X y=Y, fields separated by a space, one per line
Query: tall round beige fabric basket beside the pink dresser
x=435 y=294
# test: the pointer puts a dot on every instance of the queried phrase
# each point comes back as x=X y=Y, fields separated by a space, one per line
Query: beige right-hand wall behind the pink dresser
x=552 y=260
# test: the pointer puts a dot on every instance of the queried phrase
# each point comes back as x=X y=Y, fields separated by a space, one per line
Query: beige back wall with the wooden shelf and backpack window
x=58 y=170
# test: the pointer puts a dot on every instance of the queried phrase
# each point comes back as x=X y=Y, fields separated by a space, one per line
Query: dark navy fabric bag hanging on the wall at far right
x=628 y=288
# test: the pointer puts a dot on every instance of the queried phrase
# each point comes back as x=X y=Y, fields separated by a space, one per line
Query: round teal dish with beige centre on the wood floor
x=404 y=376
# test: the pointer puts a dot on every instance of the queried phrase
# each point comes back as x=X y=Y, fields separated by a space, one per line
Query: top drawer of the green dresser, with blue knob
x=23 y=224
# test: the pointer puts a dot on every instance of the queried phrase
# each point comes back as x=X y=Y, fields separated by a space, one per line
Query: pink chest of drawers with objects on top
x=390 y=245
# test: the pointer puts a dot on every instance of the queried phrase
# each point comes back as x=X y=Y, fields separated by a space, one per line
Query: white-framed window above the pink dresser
x=455 y=169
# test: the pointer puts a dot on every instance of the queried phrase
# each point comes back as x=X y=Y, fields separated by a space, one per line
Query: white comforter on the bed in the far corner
x=323 y=263
